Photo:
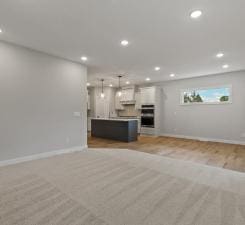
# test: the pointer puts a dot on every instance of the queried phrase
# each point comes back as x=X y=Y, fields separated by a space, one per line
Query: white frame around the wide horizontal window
x=205 y=88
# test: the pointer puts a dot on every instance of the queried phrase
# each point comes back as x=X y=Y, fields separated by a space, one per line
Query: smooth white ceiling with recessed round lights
x=160 y=33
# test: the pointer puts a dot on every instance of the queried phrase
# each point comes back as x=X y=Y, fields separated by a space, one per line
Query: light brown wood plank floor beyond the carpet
x=210 y=153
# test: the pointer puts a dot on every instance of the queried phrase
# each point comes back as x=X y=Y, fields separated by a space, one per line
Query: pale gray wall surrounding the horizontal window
x=224 y=122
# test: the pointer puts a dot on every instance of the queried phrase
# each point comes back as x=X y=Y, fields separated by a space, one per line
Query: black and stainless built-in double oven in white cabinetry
x=147 y=116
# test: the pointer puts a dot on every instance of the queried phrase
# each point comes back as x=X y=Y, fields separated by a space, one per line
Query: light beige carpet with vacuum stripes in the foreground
x=119 y=187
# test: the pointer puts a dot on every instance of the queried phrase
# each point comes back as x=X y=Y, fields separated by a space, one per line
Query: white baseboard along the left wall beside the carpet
x=42 y=155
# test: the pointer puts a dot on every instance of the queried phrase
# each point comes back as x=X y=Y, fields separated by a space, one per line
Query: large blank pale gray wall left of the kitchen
x=38 y=95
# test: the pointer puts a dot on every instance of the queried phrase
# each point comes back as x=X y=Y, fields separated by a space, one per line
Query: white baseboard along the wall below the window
x=204 y=139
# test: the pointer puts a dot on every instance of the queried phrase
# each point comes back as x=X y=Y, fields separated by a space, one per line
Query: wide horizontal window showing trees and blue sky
x=215 y=95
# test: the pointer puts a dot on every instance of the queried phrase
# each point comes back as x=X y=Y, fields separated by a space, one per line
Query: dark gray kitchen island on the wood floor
x=125 y=130
